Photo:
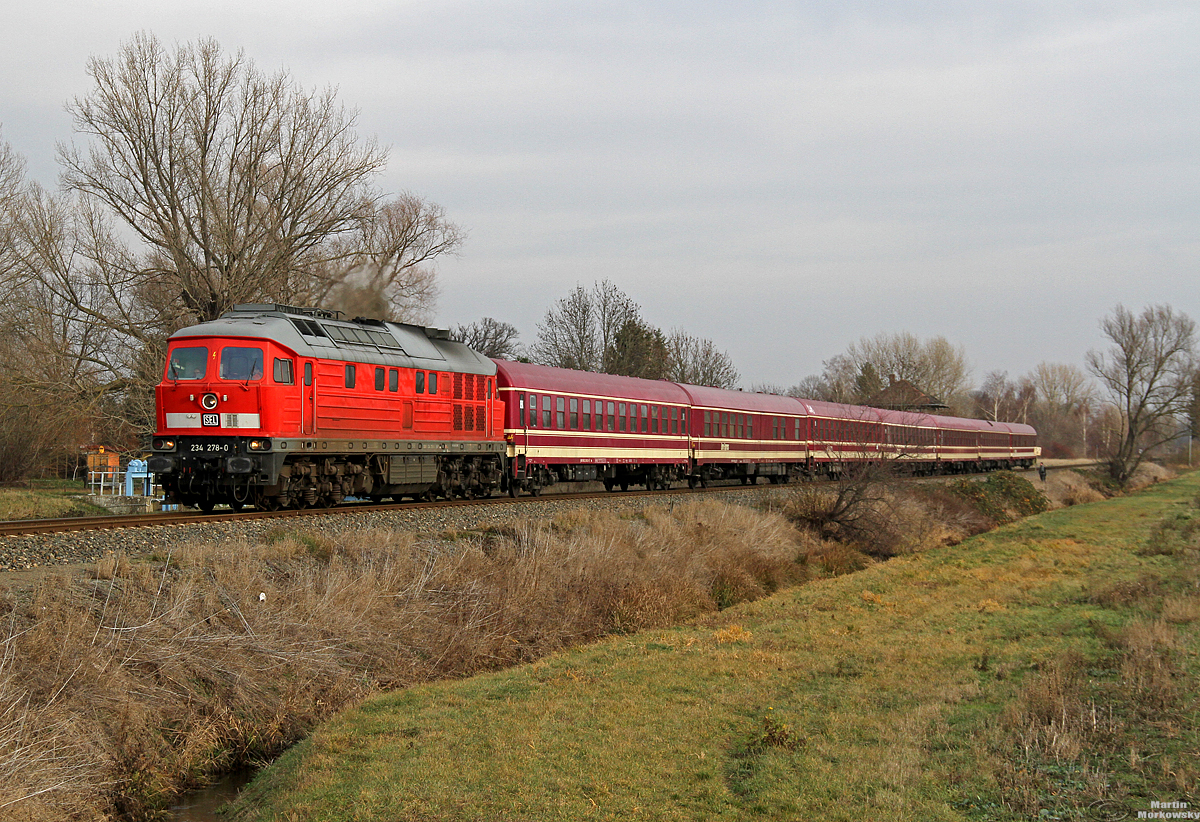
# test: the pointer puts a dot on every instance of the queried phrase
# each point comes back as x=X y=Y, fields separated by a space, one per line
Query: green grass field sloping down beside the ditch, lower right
x=1047 y=670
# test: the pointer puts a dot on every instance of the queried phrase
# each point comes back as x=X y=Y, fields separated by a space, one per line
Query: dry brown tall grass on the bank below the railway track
x=143 y=679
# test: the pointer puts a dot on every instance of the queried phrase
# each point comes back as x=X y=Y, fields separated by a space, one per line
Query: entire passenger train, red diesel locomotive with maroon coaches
x=281 y=407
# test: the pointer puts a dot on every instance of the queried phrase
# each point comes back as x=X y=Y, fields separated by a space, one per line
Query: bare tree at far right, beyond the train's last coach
x=1148 y=374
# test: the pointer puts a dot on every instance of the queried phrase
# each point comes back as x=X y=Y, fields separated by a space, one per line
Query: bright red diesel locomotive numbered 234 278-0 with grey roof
x=284 y=407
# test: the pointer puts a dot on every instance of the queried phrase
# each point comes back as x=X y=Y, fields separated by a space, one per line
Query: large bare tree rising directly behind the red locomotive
x=242 y=187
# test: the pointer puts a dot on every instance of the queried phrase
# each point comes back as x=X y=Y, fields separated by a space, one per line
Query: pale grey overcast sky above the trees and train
x=783 y=178
